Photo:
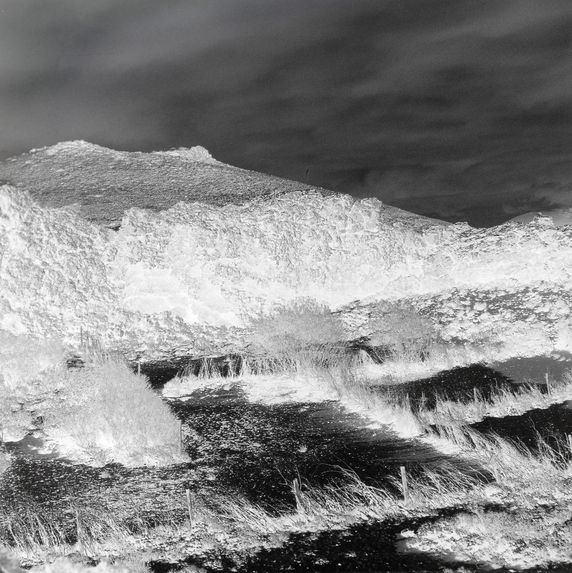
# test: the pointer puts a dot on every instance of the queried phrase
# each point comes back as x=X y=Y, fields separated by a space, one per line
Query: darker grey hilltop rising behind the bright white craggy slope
x=105 y=182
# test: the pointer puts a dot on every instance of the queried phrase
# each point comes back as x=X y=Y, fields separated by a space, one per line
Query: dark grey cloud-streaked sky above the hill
x=456 y=109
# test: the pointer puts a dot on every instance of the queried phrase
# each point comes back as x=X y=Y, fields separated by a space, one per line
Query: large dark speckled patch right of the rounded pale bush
x=258 y=450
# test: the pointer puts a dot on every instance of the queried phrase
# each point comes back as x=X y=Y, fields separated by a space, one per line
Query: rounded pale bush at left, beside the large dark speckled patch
x=108 y=413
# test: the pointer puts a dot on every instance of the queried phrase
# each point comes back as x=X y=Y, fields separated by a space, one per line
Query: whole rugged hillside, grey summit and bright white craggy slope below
x=187 y=276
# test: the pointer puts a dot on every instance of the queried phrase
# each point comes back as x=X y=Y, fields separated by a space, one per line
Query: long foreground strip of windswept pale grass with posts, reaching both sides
x=512 y=477
